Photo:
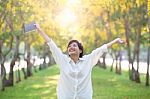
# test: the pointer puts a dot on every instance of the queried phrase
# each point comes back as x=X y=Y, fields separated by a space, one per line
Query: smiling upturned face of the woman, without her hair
x=73 y=49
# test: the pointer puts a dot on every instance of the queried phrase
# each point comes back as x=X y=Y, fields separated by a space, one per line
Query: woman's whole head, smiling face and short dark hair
x=74 y=47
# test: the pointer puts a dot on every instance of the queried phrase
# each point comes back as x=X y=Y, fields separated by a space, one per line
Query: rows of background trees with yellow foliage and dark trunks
x=92 y=22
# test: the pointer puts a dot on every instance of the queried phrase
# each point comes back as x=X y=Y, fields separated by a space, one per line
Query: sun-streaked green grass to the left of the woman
x=41 y=86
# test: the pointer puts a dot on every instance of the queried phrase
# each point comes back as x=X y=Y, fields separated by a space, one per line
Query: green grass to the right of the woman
x=108 y=85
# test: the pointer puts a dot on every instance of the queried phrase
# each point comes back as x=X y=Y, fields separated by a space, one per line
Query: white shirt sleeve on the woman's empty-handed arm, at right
x=97 y=53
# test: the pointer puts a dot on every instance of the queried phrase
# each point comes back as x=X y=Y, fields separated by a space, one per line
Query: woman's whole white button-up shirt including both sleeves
x=75 y=78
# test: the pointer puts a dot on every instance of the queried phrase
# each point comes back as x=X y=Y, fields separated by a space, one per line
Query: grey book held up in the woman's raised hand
x=29 y=27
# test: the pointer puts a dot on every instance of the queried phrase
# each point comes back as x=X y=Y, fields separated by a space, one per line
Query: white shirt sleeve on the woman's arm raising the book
x=56 y=52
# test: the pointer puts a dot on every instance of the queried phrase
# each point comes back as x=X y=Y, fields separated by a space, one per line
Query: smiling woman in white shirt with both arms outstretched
x=75 y=69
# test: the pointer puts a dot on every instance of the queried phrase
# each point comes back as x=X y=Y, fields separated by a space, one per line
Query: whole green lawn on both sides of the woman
x=106 y=85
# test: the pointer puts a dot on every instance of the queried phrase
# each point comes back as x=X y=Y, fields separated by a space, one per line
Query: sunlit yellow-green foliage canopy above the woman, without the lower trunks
x=94 y=23
